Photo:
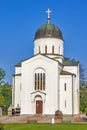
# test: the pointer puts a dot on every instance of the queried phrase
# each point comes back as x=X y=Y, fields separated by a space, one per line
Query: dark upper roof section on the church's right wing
x=70 y=62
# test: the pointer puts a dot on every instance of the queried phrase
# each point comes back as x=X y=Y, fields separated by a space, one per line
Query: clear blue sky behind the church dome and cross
x=19 y=20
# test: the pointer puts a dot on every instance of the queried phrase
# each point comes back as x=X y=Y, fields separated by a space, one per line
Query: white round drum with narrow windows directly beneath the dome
x=49 y=42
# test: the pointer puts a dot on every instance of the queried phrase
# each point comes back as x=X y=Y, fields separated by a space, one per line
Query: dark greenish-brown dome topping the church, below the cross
x=48 y=31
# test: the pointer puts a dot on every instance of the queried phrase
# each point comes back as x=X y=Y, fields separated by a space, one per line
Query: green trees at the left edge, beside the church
x=5 y=92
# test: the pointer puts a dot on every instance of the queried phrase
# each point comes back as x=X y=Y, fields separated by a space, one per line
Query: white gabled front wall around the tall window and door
x=51 y=69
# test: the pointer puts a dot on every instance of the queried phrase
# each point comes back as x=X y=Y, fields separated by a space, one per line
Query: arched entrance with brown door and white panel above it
x=39 y=104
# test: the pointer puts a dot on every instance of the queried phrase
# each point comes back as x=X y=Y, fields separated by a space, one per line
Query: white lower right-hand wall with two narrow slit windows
x=66 y=95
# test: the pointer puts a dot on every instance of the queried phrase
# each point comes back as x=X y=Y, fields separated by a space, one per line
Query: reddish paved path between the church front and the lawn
x=38 y=119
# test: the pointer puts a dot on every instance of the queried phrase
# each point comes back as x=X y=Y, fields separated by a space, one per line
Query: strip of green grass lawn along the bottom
x=43 y=126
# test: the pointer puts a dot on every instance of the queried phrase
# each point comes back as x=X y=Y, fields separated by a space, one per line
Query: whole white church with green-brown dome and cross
x=47 y=81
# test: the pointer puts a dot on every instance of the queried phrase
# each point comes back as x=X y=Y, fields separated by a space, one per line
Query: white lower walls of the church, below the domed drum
x=25 y=97
